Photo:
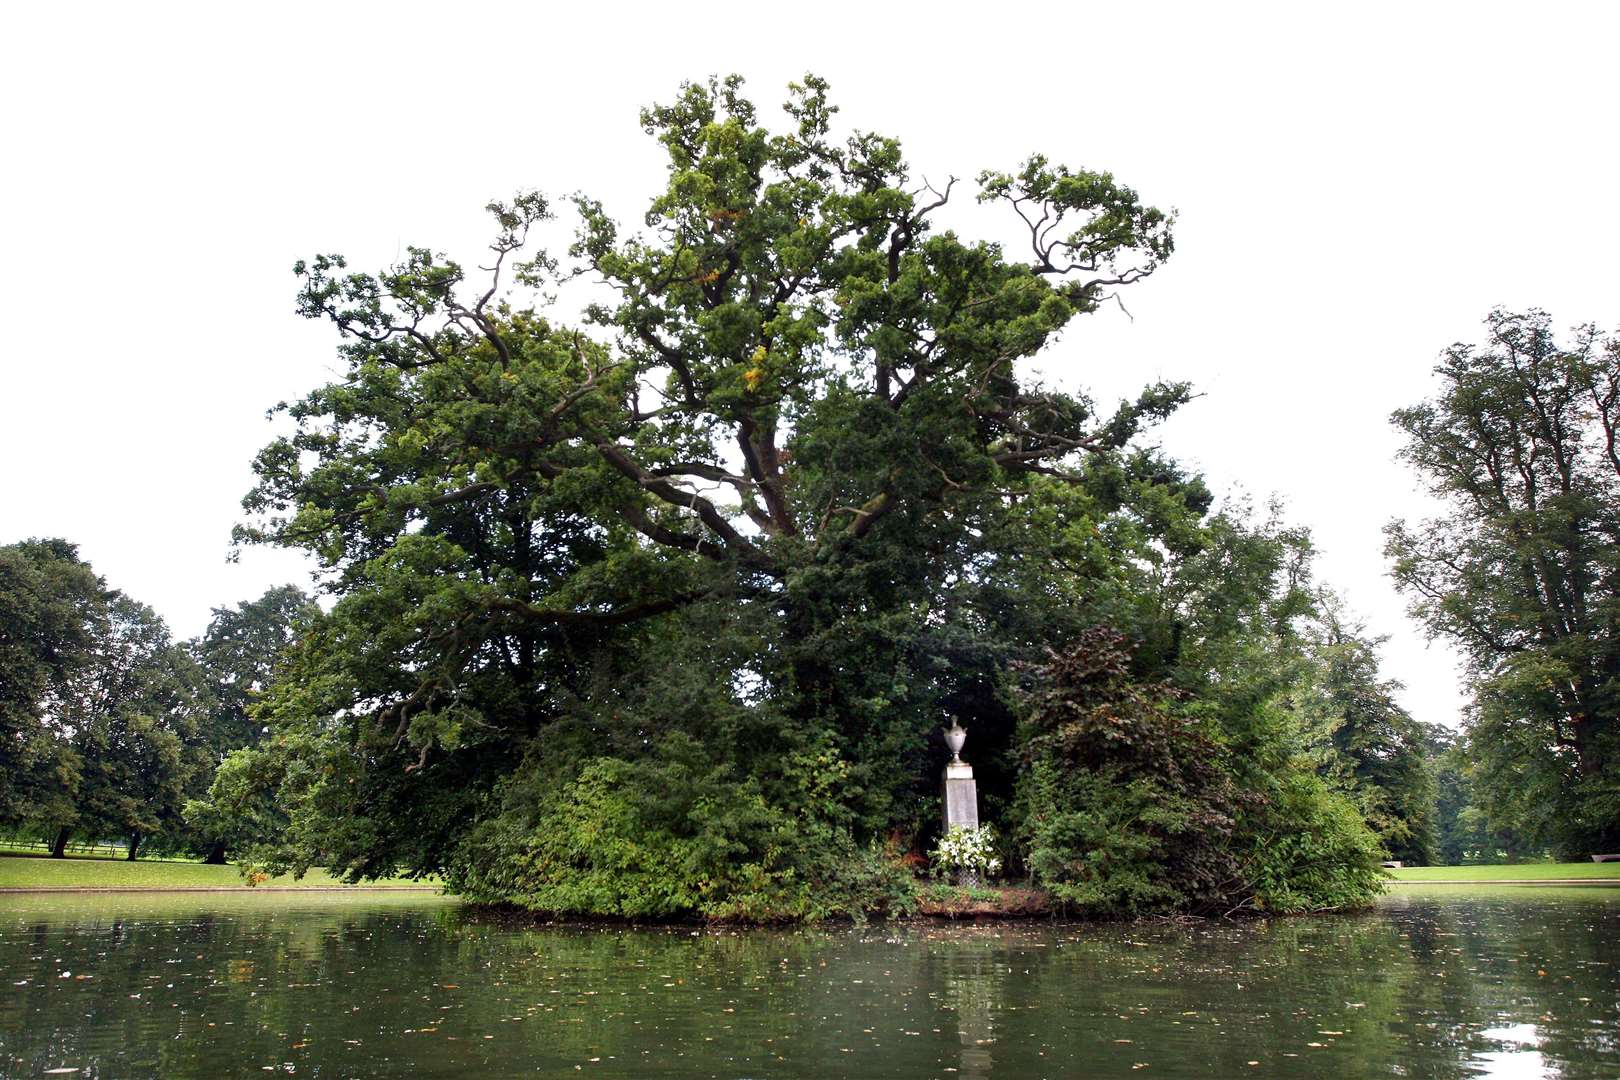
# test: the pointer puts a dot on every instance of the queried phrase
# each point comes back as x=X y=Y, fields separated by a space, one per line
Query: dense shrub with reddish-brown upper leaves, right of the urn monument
x=1130 y=806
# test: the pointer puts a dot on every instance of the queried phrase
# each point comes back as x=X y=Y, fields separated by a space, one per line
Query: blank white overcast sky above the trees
x=1358 y=187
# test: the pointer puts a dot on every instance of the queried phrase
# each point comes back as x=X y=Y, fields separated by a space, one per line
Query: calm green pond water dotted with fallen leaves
x=1433 y=984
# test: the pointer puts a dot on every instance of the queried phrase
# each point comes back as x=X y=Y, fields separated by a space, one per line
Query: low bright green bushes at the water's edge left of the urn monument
x=667 y=836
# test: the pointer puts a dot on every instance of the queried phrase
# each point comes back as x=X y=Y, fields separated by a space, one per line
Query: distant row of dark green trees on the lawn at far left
x=108 y=726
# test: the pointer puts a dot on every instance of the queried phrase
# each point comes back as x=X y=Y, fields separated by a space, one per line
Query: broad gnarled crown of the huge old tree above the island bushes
x=804 y=401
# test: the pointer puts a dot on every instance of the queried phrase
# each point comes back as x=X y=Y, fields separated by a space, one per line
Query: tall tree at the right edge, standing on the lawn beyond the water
x=1524 y=569
